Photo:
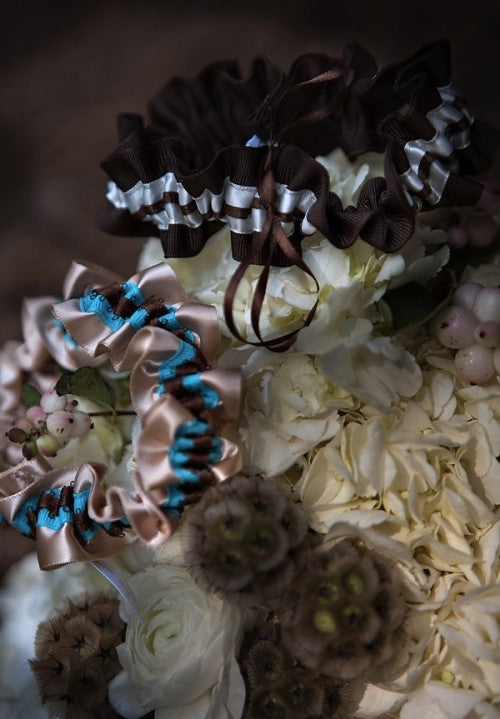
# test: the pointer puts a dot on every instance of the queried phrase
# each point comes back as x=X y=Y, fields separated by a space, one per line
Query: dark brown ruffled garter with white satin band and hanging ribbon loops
x=179 y=185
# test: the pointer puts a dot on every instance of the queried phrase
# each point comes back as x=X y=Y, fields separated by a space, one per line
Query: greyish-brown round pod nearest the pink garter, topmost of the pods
x=241 y=538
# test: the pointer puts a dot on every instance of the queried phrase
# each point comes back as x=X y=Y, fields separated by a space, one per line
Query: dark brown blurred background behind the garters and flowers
x=68 y=67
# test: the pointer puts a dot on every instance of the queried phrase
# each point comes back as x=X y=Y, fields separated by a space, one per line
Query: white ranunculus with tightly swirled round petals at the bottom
x=179 y=656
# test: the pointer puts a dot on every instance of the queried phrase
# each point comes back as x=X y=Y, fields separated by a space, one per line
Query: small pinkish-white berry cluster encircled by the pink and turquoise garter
x=50 y=425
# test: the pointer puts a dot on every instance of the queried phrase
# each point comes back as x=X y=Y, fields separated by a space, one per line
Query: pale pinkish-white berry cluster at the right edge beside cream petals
x=471 y=325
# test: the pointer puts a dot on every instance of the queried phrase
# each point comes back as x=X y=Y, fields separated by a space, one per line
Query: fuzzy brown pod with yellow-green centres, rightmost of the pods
x=345 y=615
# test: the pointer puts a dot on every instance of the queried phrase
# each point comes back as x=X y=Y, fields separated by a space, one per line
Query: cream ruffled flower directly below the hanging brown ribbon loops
x=289 y=406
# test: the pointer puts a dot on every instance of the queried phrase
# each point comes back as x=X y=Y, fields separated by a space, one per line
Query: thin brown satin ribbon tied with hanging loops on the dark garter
x=272 y=233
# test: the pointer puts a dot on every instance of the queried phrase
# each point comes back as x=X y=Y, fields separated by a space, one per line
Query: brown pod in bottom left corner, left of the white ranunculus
x=75 y=657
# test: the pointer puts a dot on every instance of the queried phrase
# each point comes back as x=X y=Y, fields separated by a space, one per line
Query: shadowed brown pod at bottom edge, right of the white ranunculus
x=279 y=687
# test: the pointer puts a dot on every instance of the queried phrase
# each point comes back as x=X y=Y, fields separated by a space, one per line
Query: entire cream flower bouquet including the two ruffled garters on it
x=264 y=469
